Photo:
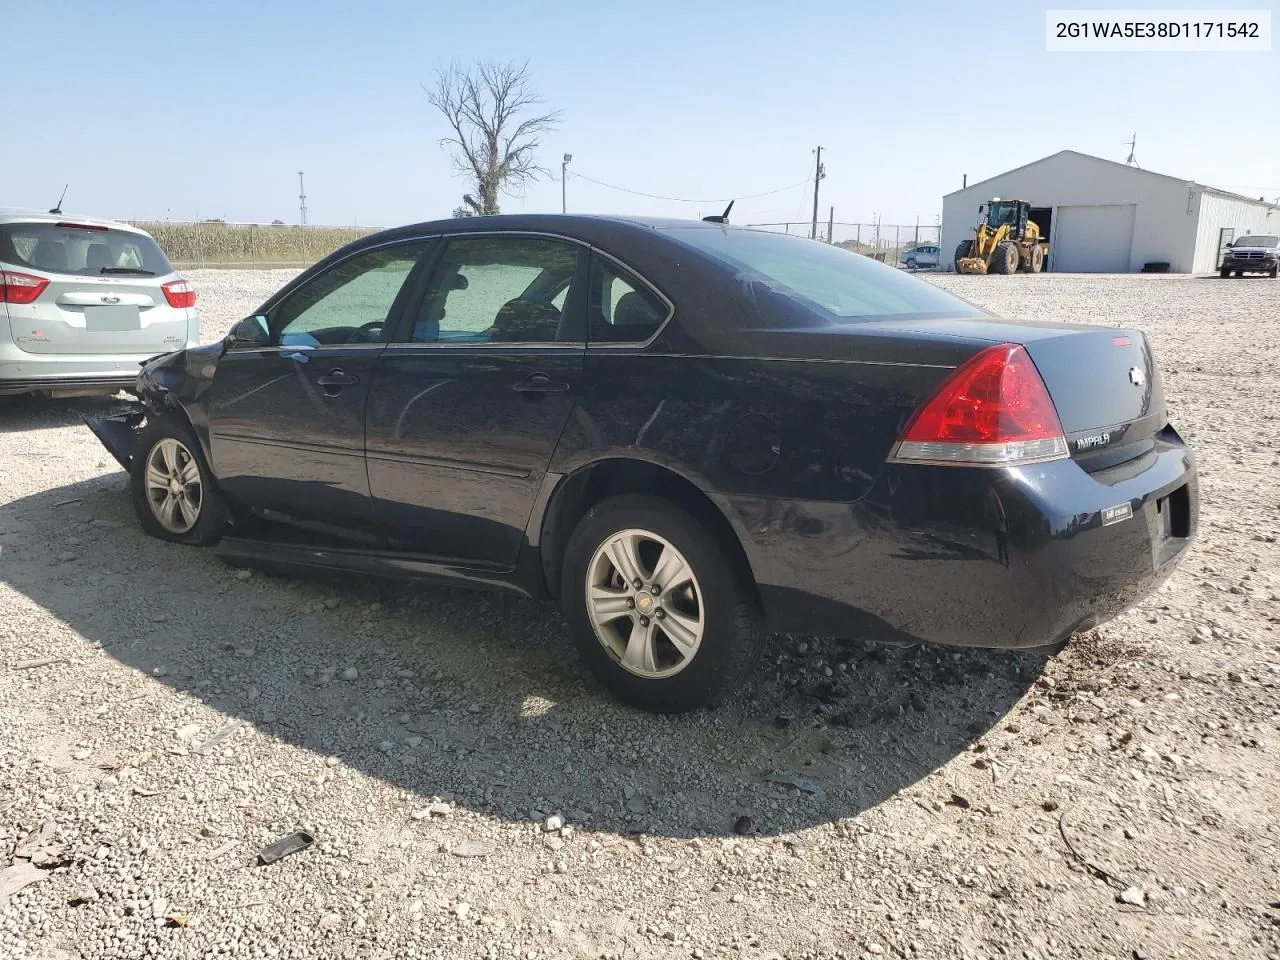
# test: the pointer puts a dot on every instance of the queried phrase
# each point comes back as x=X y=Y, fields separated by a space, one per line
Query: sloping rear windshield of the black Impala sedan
x=839 y=284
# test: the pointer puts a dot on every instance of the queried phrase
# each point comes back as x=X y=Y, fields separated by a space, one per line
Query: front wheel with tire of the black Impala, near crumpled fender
x=173 y=493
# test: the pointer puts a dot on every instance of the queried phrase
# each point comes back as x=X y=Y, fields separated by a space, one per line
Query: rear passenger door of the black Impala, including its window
x=468 y=406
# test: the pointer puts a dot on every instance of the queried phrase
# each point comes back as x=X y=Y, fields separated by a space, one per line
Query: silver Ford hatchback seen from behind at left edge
x=84 y=303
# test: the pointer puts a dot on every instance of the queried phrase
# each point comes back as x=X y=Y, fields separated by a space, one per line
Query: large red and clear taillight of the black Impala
x=993 y=412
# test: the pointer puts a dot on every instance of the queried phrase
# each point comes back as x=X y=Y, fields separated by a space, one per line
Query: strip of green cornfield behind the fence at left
x=217 y=244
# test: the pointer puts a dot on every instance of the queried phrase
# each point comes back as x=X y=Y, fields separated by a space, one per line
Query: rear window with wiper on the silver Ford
x=83 y=252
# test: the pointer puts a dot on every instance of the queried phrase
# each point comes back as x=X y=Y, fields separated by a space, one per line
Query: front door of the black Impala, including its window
x=287 y=422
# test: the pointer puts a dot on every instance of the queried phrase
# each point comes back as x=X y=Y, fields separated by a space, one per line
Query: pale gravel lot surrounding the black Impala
x=473 y=796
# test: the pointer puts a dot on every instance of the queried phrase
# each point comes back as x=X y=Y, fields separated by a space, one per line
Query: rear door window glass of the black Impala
x=497 y=290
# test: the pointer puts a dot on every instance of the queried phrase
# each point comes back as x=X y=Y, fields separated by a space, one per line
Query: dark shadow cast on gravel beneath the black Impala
x=479 y=700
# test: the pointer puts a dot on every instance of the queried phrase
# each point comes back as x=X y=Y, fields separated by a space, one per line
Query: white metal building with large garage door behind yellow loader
x=1103 y=217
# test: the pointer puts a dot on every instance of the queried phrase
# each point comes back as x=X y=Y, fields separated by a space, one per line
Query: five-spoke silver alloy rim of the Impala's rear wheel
x=646 y=604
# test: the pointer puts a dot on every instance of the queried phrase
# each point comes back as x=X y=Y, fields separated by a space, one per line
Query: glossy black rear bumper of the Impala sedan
x=1014 y=559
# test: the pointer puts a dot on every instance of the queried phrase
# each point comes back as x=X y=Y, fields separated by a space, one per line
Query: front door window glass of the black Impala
x=350 y=303
